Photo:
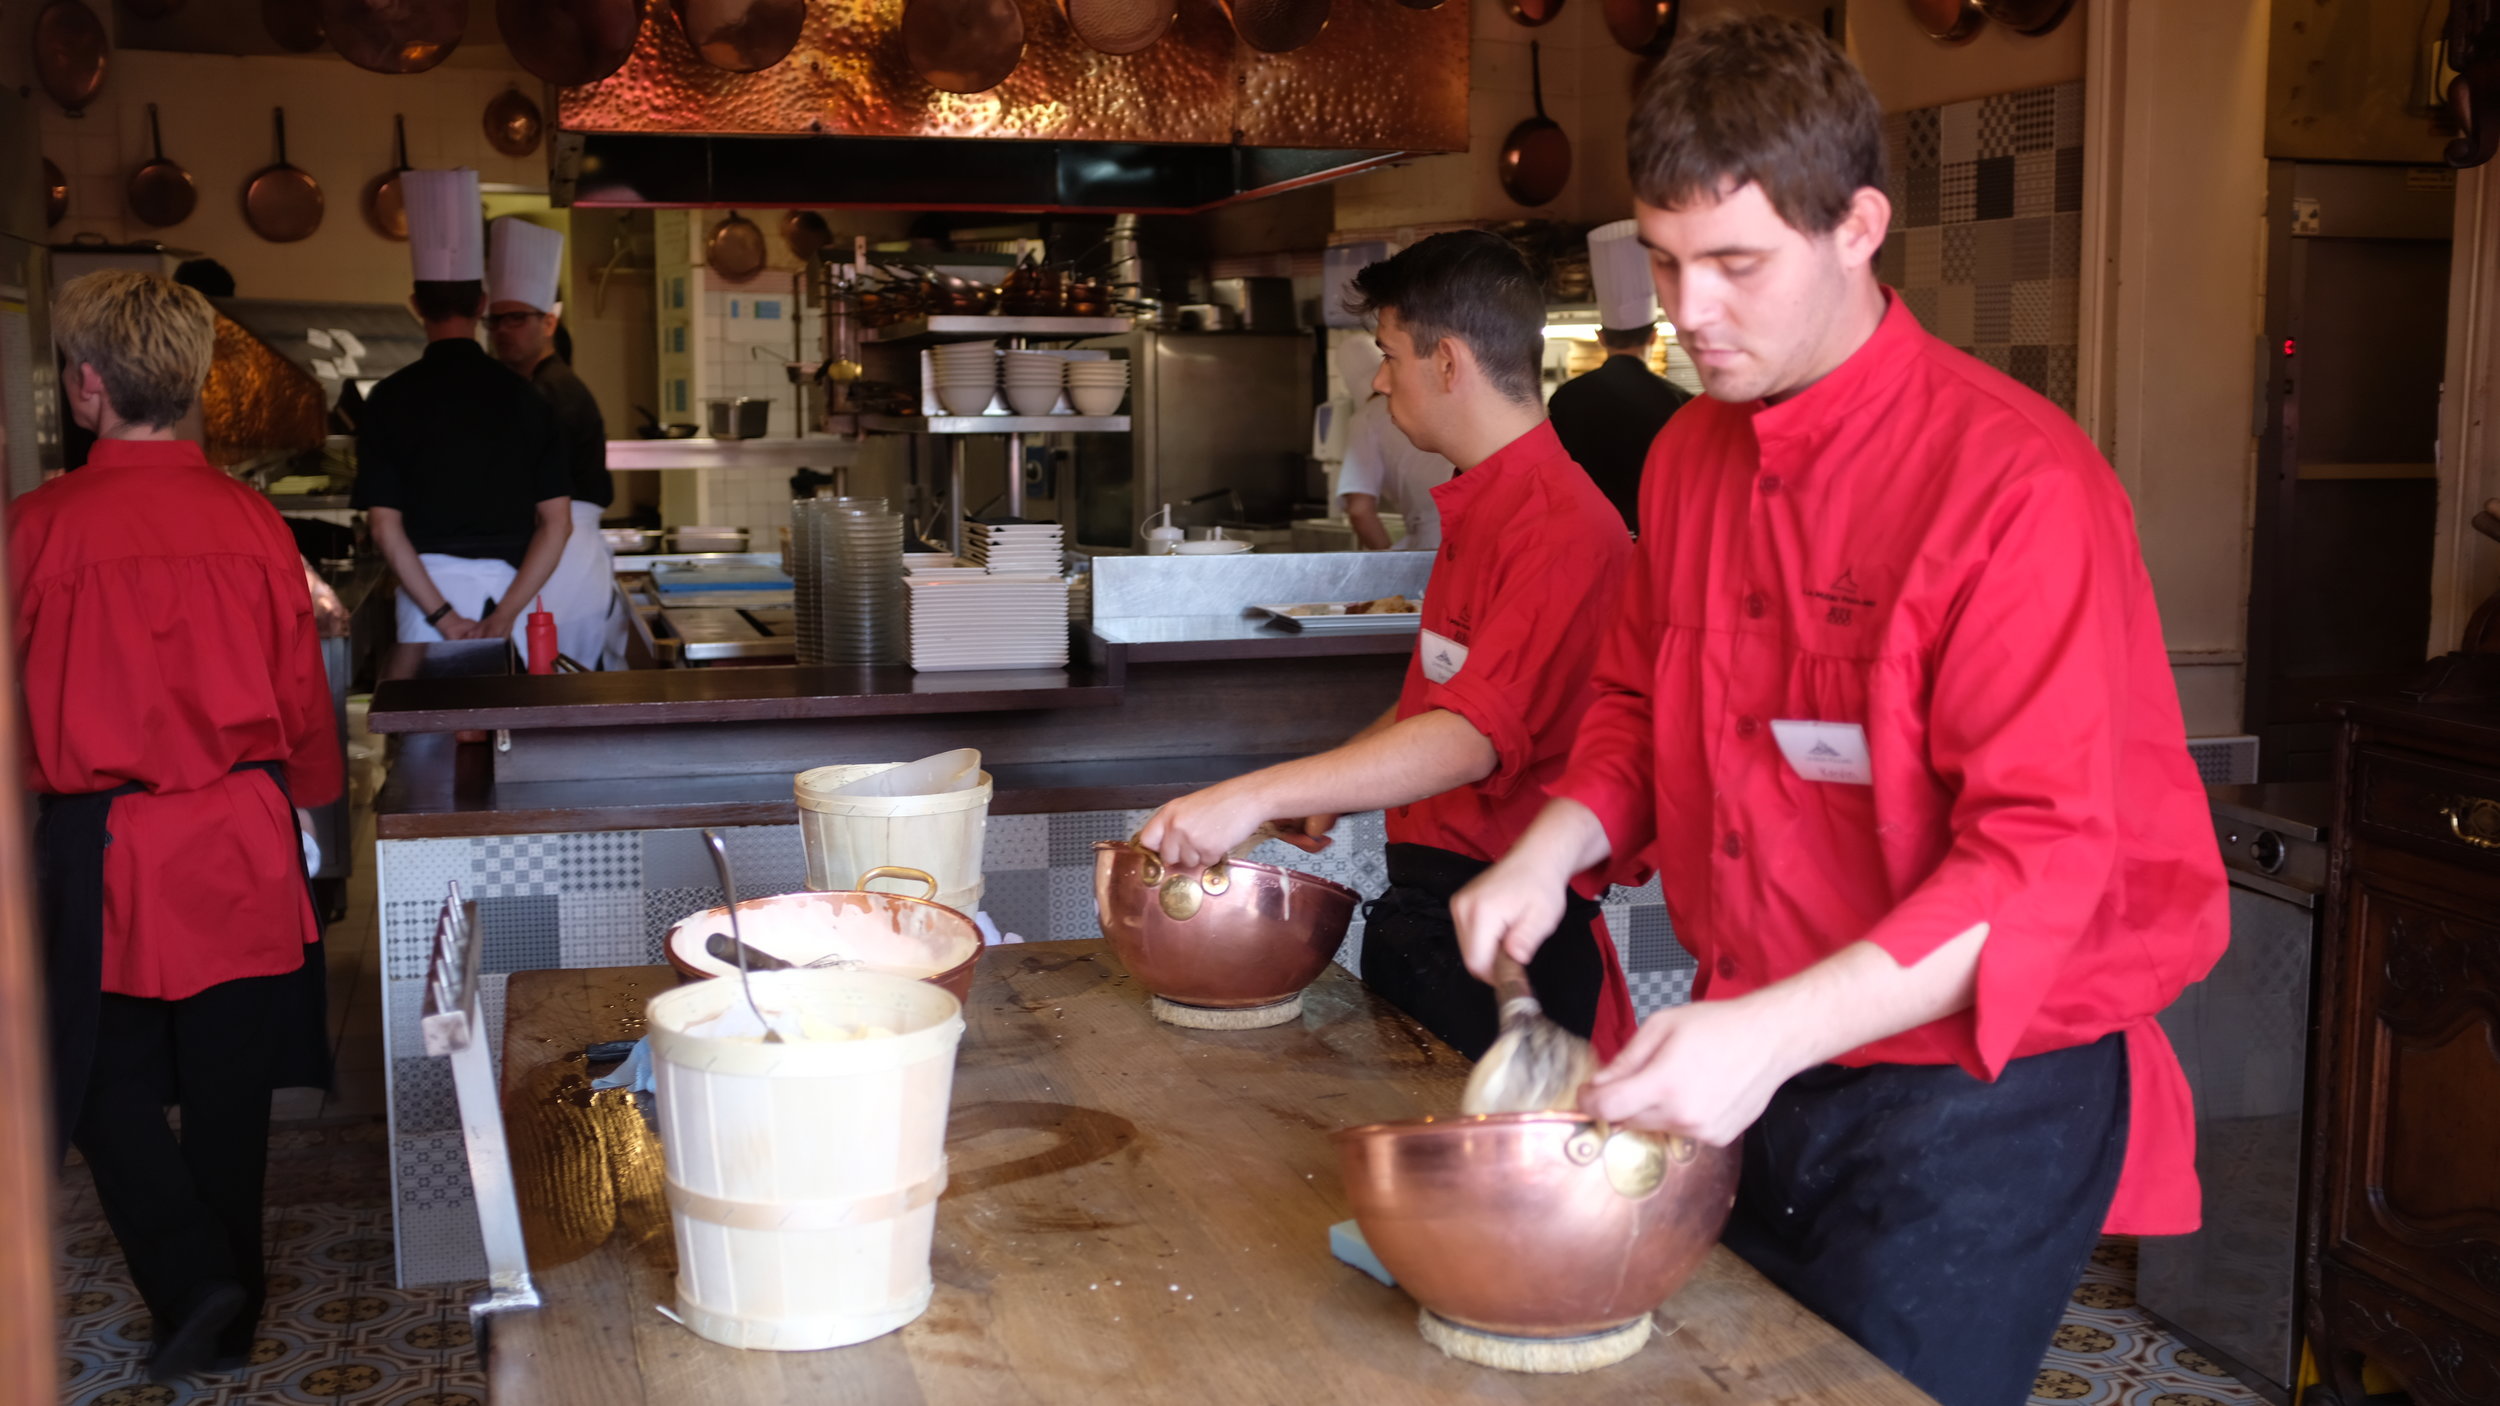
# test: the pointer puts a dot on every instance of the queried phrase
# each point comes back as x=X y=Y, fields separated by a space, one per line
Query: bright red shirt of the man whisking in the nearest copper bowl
x=1954 y=569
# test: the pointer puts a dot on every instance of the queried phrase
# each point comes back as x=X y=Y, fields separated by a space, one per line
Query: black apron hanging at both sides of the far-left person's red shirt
x=71 y=839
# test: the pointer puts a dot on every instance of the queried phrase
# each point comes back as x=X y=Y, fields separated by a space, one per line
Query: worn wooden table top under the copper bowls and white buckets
x=1136 y=1215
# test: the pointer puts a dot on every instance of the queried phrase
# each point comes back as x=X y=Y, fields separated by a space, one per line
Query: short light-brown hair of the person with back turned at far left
x=144 y=334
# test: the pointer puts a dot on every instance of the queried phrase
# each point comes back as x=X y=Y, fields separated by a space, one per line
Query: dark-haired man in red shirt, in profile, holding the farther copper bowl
x=1529 y=562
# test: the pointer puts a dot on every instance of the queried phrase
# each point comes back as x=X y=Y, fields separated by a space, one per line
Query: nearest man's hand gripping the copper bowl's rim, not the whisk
x=1706 y=1072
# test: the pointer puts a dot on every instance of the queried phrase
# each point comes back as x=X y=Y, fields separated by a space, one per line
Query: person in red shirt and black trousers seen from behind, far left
x=176 y=714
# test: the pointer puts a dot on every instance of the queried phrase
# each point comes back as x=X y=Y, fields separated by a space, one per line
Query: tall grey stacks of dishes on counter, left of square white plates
x=846 y=572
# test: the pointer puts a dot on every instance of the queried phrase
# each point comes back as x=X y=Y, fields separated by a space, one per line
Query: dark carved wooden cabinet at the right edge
x=2401 y=1230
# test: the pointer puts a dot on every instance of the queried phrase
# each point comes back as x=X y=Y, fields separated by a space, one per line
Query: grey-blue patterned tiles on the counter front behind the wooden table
x=609 y=899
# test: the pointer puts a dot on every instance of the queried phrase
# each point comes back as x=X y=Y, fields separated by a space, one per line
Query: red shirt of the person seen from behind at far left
x=166 y=637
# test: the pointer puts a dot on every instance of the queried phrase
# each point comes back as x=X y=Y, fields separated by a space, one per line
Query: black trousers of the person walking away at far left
x=186 y=1207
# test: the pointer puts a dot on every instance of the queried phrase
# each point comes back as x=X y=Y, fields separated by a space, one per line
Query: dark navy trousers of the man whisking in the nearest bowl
x=1934 y=1217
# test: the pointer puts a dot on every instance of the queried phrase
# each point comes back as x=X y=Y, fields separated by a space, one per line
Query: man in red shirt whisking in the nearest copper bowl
x=1889 y=709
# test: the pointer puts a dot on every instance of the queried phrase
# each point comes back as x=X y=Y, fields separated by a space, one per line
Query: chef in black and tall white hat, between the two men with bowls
x=1609 y=417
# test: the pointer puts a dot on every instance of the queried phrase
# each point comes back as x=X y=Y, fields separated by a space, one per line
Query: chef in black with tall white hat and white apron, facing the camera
x=524 y=269
